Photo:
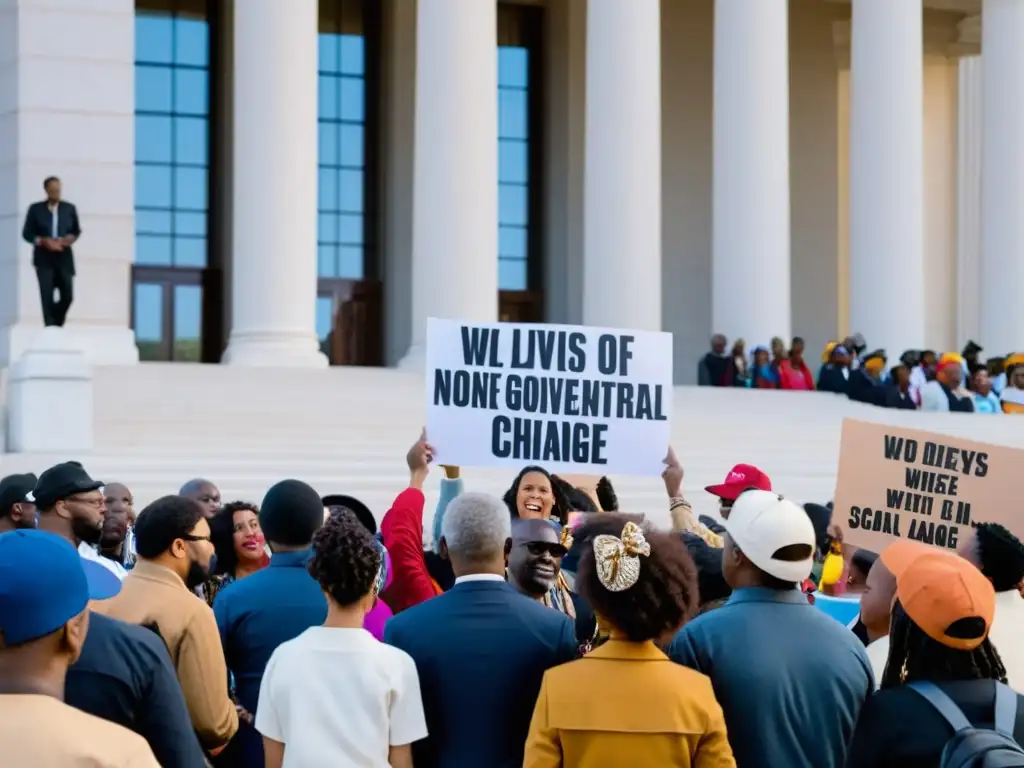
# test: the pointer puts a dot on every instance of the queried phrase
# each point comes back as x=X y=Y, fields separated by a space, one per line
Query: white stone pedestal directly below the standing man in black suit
x=50 y=406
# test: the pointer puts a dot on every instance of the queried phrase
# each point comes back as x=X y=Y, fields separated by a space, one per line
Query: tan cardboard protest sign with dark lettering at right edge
x=905 y=484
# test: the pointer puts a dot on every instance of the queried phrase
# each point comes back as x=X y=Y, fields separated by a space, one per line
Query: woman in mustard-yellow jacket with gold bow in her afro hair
x=626 y=704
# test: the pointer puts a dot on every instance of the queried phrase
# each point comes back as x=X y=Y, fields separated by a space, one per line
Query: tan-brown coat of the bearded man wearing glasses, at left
x=152 y=594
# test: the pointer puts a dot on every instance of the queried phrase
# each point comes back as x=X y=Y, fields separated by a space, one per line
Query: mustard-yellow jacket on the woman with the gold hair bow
x=623 y=706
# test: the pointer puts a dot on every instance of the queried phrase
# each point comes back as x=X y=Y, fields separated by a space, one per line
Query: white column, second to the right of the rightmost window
x=751 y=230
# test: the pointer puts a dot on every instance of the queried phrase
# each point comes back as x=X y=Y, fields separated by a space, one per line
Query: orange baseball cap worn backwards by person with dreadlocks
x=937 y=591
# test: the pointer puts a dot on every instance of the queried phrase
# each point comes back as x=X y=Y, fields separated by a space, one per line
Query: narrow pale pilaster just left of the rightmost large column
x=969 y=201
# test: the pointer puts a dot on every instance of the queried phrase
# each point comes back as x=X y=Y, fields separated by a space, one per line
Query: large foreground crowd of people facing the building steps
x=543 y=629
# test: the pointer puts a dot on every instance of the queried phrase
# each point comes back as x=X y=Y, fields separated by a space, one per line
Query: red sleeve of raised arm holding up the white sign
x=402 y=532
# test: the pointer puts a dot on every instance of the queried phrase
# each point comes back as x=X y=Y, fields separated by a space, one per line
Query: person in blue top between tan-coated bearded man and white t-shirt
x=260 y=613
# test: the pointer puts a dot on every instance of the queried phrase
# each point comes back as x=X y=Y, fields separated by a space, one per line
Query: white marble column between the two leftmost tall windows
x=274 y=275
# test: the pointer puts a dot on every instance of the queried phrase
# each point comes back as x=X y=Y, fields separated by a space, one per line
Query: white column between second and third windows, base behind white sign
x=455 y=186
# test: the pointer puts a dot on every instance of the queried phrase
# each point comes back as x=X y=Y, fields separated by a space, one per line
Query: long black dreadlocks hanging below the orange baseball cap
x=914 y=656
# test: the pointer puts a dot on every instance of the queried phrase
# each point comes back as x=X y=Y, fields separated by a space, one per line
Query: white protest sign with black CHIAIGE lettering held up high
x=571 y=399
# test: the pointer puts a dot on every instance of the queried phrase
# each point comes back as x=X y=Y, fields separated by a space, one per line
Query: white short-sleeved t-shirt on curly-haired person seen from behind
x=338 y=697
